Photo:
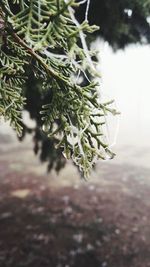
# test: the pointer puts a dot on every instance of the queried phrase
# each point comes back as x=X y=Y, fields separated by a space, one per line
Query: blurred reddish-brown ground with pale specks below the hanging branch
x=63 y=221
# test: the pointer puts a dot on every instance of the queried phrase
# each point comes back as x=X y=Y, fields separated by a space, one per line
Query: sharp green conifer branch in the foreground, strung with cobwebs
x=43 y=38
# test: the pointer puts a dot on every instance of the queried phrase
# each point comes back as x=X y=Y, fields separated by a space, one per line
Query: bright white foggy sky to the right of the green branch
x=126 y=78
